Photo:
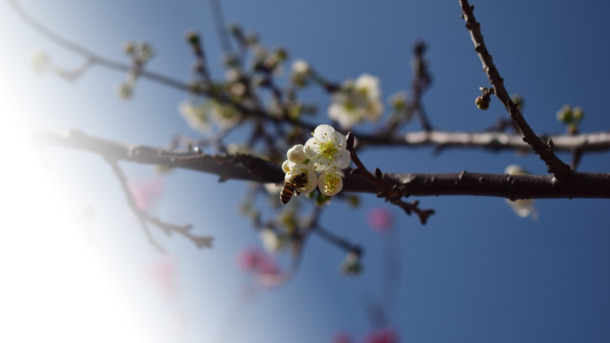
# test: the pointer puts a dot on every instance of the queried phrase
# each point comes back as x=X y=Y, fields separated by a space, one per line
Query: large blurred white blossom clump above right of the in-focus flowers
x=356 y=101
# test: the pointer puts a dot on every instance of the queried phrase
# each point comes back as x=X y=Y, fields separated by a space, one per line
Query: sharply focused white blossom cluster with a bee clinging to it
x=319 y=162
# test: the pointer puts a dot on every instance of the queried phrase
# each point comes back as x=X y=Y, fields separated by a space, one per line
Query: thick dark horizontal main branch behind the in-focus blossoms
x=251 y=168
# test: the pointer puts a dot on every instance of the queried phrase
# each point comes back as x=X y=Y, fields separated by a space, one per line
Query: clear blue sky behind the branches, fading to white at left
x=475 y=273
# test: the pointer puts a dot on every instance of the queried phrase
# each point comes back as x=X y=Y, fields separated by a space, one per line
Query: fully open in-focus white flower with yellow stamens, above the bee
x=327 y=150
